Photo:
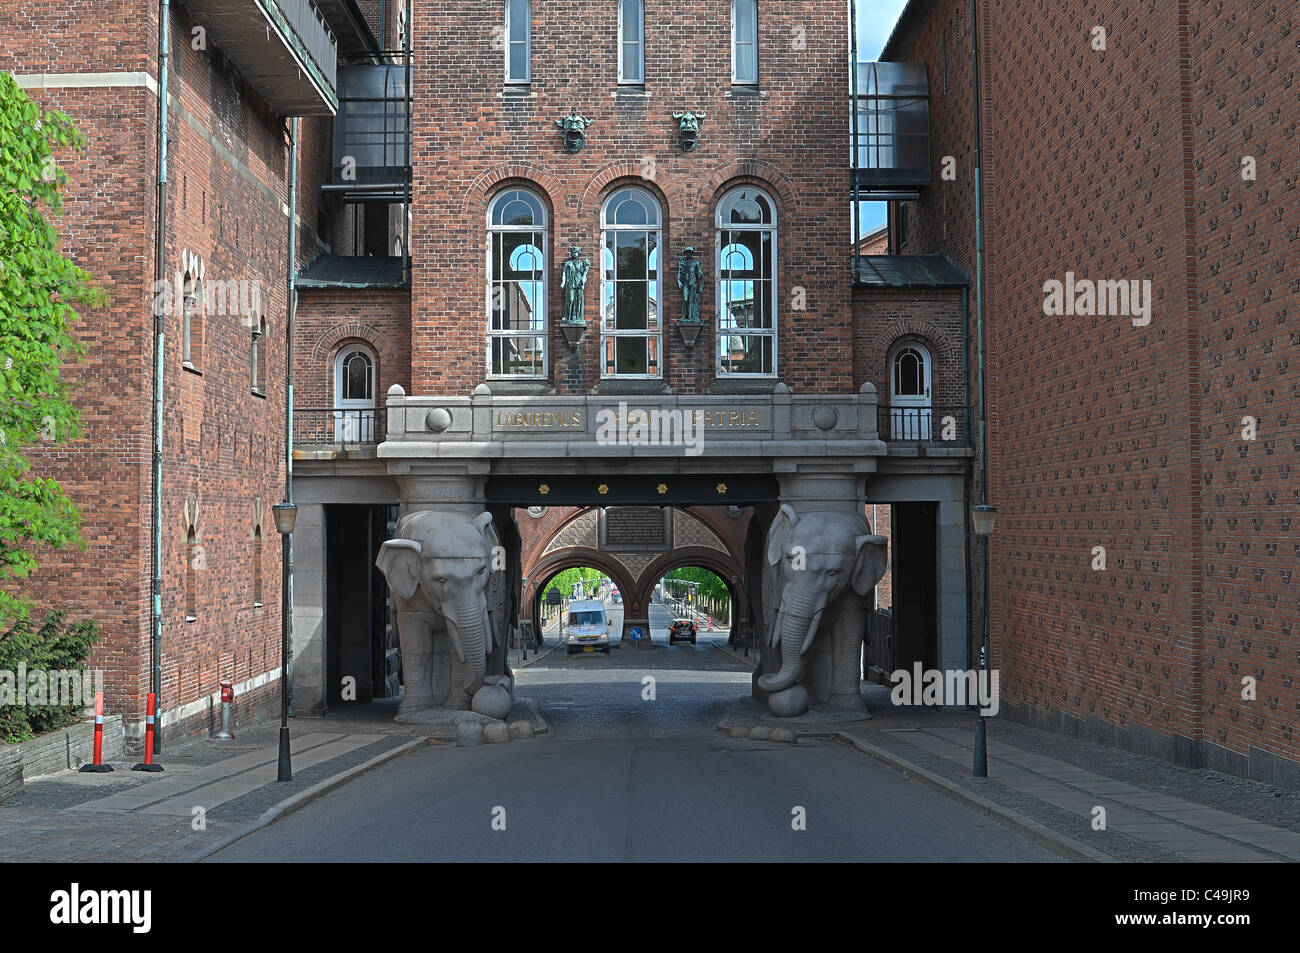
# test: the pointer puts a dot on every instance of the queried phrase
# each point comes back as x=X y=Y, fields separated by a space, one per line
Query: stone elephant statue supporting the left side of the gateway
x=440 y=571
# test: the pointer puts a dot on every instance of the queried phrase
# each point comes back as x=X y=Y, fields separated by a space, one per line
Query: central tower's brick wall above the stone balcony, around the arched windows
x=471 y=140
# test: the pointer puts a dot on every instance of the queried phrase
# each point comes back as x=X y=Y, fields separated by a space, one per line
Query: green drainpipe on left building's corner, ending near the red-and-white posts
x=159 y=275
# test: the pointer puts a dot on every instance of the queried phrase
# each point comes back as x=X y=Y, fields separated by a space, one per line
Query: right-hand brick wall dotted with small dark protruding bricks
x=1121 y=164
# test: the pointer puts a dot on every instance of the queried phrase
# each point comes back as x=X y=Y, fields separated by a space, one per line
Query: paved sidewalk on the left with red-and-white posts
x=207 y=792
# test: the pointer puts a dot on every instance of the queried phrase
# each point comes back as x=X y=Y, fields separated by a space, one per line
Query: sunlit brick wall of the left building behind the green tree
x=222 y=443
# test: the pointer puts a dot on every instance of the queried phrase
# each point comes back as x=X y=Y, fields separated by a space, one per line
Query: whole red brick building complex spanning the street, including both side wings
x=456 y=157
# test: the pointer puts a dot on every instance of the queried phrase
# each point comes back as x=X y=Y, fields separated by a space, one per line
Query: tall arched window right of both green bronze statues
x=747 y=284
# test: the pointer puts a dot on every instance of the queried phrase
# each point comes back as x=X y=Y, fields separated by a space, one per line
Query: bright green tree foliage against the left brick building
x=40 y=294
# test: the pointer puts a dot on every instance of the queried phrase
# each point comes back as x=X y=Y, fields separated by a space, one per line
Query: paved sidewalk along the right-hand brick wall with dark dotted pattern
x=1048 y=787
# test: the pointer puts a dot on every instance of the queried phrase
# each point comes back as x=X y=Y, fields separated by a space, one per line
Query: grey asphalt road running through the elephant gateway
x=632 y=774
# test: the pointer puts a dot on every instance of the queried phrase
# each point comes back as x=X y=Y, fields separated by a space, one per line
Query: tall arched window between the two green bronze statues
x=631 y=224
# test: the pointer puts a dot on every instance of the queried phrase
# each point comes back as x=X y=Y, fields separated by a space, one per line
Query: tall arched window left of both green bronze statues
x=517 y=285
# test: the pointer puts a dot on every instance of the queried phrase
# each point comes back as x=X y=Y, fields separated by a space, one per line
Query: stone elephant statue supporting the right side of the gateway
x=829 y=566
